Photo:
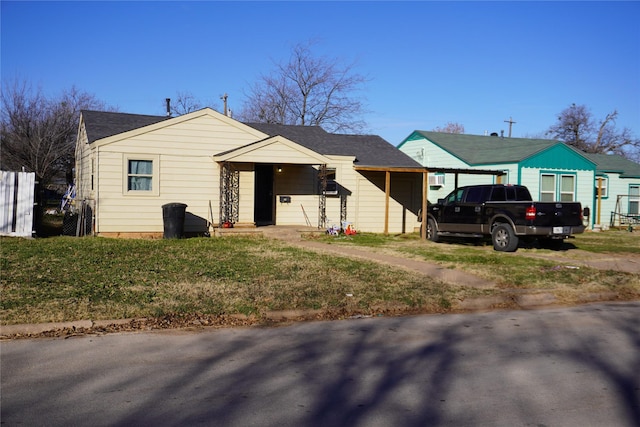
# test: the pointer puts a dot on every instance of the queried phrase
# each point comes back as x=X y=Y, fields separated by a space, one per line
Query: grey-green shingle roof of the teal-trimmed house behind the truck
x=478 y=149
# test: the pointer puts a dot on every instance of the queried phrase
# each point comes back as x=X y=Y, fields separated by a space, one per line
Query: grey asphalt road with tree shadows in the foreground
x=554 y=367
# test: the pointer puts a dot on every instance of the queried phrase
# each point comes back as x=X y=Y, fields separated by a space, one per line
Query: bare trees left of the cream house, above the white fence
x=38 y=134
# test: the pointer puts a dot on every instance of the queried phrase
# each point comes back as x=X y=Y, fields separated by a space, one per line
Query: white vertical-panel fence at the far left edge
x=16 y=203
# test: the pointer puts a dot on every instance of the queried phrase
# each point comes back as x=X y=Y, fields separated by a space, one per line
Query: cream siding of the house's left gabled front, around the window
x=187 y=174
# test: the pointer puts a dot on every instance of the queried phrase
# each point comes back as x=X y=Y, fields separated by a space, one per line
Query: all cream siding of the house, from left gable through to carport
x=186 y=152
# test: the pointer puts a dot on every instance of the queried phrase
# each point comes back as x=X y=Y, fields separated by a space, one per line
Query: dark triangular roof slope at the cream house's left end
x=102 y=124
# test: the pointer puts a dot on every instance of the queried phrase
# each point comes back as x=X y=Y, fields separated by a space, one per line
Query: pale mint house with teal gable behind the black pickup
x=552 y=170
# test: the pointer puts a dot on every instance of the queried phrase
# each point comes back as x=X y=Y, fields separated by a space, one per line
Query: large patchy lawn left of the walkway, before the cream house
x=64 y=278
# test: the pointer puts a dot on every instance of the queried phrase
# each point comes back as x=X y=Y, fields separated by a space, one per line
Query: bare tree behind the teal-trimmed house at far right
x=577 y=127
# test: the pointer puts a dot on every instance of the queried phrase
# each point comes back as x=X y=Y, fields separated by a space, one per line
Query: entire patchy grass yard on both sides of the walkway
x=65 y=278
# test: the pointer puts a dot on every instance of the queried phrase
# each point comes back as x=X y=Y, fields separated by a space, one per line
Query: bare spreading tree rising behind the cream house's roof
x=308 y=91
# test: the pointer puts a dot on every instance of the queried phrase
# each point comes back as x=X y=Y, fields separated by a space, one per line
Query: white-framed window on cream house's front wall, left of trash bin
x=141 y=175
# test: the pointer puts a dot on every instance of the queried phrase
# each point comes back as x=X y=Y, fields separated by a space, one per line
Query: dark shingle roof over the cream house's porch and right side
x=369 y=150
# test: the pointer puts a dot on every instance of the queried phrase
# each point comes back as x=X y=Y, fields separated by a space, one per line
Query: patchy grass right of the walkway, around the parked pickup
x=563 y=273
